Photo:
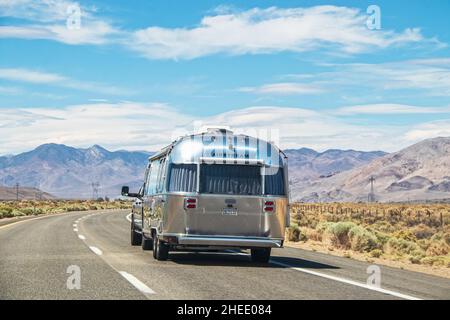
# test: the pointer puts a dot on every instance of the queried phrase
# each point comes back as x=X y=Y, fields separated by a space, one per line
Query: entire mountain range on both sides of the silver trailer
x=419 y=172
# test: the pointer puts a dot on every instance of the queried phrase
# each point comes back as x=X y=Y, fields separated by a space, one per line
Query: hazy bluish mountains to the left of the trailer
x=68 y=172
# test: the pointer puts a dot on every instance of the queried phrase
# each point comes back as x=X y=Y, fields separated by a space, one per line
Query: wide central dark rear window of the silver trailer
x=230 y=179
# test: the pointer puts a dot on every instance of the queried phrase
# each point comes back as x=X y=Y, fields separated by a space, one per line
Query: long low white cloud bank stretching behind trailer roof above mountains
x=149 y=126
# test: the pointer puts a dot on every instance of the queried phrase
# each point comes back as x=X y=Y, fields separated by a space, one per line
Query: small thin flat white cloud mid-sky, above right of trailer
x=285 y=88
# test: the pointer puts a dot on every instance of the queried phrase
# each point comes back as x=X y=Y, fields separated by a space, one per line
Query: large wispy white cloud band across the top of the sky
x=255 y=31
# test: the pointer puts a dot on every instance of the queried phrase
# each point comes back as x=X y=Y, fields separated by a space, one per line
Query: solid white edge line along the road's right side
x=342 y=280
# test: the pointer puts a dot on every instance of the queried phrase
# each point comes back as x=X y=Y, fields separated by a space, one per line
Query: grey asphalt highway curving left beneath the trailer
x=36 y=256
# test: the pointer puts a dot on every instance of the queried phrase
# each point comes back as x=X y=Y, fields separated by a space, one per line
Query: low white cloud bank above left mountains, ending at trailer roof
x=125 y=125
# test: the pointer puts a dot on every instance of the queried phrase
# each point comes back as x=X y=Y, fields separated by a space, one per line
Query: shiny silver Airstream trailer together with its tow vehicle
x=212 y=191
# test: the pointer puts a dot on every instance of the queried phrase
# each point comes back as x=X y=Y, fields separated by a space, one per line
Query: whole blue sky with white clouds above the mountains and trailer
x=136 y=74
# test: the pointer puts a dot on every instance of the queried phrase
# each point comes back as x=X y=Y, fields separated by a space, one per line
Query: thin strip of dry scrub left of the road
x=11 y=209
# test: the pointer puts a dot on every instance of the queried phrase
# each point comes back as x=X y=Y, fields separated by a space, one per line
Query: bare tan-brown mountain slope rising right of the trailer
x=419 y=172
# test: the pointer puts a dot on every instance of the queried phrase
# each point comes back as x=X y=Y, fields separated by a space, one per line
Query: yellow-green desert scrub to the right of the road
x=413 y=233
